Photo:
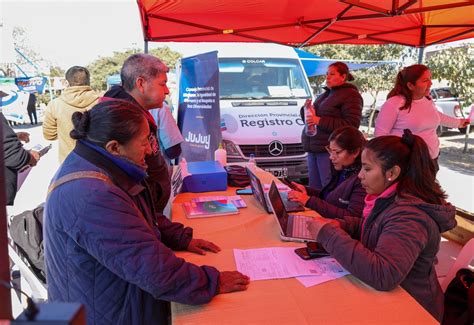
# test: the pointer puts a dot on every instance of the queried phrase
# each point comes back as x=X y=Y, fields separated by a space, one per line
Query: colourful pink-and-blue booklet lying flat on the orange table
x=209 y=208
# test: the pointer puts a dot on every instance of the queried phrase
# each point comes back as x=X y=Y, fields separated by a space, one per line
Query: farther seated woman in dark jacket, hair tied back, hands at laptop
x=344 y=195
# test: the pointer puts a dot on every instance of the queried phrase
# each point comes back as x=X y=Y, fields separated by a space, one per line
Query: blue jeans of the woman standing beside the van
x=319 y=169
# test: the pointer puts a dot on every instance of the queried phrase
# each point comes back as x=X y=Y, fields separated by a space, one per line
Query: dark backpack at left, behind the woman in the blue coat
x=26 y=231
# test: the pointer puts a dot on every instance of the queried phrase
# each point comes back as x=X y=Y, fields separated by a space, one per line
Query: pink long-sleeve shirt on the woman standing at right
x=422 y=119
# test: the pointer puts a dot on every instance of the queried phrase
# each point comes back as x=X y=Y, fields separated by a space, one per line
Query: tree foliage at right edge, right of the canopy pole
x=456 y=65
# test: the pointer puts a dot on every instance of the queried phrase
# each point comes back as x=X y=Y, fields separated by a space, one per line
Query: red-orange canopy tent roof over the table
x=308 y=22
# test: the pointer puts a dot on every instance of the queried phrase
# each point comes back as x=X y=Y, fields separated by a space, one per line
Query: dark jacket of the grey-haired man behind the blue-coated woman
x=158 y=176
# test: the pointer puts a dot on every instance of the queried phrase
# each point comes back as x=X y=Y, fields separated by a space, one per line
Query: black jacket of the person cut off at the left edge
x=15 y=158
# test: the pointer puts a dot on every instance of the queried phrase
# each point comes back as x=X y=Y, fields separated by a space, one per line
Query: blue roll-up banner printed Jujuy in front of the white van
x=199 y=110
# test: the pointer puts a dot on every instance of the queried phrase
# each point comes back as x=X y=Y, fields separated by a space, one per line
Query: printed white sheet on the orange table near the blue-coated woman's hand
x=275 y=263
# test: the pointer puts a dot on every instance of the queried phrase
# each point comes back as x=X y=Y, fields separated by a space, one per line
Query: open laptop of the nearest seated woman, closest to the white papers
x=292 y=227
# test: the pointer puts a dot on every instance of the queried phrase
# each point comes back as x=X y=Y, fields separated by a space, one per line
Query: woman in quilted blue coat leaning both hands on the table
x=105 y=246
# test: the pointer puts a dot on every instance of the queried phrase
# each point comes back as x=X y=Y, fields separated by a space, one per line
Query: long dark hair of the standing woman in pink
x=407 y=75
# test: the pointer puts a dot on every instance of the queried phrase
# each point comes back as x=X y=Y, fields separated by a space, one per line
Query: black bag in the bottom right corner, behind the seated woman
x=459 y=299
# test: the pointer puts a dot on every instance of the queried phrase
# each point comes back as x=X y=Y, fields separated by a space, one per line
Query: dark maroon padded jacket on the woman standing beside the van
x=339 y=106
